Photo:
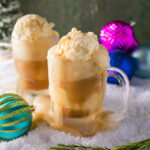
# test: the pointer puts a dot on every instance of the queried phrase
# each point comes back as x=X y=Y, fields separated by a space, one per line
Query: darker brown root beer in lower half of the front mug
x=78 y=93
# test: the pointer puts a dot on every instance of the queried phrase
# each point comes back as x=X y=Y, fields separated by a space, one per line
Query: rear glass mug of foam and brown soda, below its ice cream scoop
x=30 y=61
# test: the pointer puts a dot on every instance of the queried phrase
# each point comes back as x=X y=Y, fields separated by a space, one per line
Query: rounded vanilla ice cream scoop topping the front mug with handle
x=77 y=45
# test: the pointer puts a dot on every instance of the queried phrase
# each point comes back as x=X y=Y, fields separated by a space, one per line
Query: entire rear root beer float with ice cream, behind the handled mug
x=31 y=38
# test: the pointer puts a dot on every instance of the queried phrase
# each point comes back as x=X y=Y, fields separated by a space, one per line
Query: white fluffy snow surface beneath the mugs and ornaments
x=135 y=126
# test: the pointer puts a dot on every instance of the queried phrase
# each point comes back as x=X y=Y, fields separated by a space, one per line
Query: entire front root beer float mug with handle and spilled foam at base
x=78 y=68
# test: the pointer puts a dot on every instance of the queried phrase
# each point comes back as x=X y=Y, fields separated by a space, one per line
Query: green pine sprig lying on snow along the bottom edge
x=141 y=145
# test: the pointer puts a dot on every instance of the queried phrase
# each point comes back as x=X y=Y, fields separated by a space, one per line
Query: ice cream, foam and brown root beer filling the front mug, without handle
x=78 y=71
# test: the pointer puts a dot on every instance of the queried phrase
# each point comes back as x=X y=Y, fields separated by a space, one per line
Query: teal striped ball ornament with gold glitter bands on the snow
x=15 y=116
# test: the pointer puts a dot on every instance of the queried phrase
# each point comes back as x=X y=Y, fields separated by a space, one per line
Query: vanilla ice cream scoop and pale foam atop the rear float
x=32 y=37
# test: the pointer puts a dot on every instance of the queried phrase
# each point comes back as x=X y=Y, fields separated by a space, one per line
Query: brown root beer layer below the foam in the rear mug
x=33 y=75
